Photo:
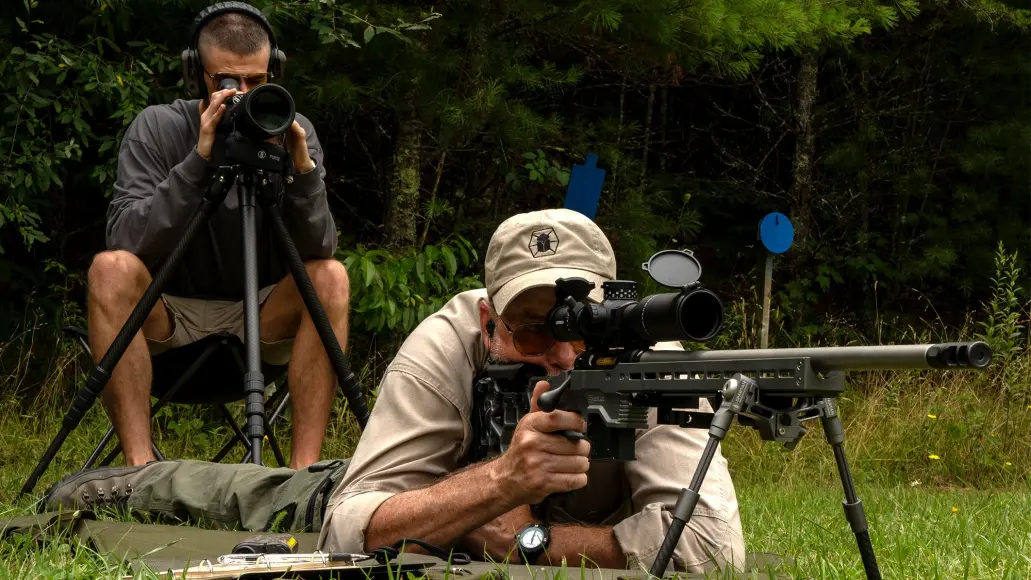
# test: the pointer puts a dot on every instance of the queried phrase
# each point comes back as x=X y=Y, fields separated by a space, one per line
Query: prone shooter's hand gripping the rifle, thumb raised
x=540 y=462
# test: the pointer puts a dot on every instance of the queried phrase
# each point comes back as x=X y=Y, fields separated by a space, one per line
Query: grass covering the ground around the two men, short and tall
x=942 y=461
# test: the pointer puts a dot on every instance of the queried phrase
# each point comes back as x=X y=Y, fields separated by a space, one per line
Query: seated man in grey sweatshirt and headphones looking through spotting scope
x=165 y=165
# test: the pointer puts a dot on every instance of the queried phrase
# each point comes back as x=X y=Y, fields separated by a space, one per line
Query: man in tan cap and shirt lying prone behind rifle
x=411 y=476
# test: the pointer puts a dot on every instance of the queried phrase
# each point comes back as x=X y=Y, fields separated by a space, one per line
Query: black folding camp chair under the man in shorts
x=208 y=372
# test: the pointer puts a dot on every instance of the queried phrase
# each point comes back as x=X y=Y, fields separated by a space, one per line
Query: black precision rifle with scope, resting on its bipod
x=621 y=377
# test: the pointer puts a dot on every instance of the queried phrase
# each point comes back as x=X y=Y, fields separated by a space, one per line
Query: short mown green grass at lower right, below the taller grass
x=916 y=533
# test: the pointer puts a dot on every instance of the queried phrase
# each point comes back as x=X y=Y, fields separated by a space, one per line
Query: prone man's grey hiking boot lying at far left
x=95 y=489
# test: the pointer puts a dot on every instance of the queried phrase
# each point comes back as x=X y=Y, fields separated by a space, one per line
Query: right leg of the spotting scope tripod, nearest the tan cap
x=346 y=379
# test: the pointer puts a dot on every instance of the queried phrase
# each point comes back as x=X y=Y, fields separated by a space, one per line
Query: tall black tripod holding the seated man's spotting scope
x=250 y=165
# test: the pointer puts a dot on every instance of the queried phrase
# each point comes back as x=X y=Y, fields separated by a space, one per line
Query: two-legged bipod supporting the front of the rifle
x=742 y=398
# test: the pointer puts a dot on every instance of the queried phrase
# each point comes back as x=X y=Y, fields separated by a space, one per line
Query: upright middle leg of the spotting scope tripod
x=254 y=381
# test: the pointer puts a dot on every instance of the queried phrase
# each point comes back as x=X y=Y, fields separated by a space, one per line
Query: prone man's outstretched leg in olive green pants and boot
x=216 y=496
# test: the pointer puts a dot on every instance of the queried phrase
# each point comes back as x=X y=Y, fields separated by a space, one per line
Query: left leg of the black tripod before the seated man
x=102 y=373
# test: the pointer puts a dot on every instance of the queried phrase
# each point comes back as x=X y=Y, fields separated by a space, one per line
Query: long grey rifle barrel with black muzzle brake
x=823 y=359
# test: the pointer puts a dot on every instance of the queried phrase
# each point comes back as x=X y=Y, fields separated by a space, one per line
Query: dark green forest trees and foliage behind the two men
x=442 y=120
